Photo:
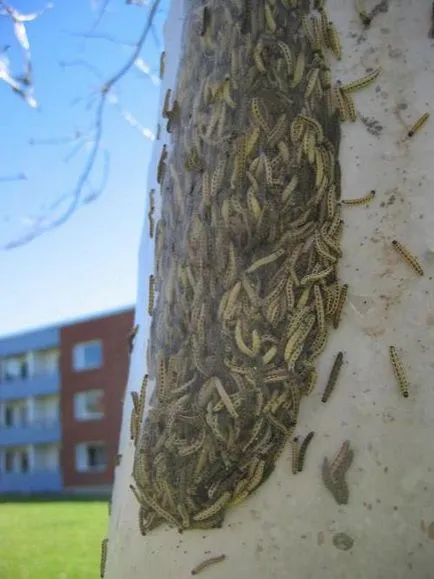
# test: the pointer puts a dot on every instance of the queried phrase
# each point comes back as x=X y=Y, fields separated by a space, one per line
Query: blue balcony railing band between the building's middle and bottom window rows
x=35 y=432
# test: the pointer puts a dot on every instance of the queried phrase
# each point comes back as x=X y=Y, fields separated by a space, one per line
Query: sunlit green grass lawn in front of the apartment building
x=51 y=540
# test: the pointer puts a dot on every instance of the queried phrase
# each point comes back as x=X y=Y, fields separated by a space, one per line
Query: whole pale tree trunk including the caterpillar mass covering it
x=249 y=279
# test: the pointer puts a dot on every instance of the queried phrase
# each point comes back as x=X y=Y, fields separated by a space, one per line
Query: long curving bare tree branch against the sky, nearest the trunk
x=41 y=225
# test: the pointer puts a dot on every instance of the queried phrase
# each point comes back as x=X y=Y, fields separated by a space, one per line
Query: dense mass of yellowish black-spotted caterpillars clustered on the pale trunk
x=247 y=247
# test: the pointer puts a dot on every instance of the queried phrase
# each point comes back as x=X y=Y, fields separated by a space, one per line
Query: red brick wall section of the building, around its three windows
x=111 y=377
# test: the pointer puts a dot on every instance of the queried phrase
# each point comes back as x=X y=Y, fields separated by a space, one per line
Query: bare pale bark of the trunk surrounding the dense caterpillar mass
x=287 y=527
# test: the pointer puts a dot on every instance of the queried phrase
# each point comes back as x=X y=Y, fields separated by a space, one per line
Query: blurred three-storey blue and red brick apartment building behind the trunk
x=61 y=391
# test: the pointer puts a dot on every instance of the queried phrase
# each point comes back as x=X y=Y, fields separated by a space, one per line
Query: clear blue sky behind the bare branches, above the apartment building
x=89 y=264
